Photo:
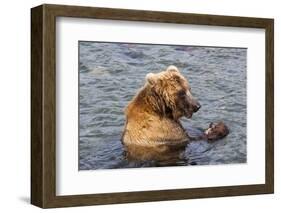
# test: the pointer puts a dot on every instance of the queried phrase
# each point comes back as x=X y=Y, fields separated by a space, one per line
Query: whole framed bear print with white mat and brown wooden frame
x=136 y=106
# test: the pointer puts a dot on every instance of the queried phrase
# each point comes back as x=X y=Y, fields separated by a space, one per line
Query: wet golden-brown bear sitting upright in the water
x=152 y=117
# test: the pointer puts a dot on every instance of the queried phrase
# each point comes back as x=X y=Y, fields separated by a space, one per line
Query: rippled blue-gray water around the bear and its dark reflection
x=111 y=74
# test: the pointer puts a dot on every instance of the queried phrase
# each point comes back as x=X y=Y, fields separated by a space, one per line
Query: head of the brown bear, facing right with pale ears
x=172 y=93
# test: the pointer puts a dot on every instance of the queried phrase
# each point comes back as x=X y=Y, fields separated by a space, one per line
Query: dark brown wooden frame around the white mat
x=43 y=105
